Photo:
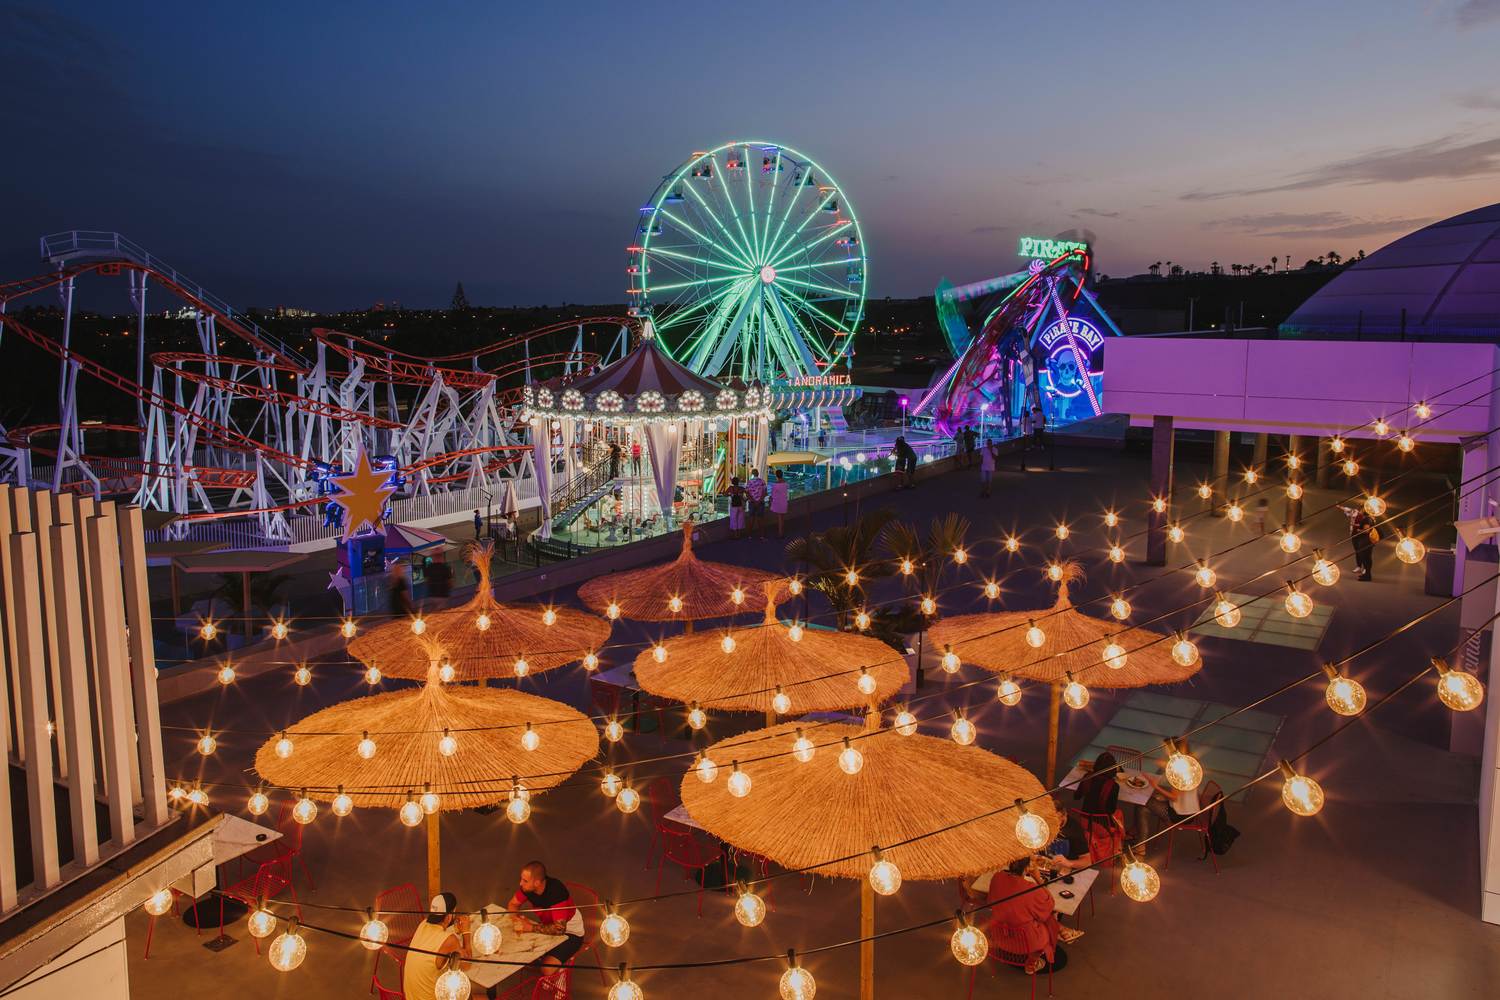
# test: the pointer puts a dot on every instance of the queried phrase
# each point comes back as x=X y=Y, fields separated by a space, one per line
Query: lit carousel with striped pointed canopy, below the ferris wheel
x=629 y=451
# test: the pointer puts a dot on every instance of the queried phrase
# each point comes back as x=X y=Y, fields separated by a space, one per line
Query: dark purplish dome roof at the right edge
x=1439 y=283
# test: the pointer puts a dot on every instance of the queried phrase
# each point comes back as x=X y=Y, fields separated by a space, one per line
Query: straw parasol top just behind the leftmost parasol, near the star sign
x=484 y=638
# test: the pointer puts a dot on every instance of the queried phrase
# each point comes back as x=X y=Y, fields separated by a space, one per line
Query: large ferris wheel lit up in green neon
x=751 y=263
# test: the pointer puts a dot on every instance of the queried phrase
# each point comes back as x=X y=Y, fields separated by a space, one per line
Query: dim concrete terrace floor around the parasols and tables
x=1375 y=897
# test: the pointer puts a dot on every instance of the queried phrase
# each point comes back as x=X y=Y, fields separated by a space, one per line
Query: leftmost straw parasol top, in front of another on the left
x=407 y=728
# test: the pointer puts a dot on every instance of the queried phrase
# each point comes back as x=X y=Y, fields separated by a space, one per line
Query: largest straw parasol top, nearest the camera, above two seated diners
x=800 y=815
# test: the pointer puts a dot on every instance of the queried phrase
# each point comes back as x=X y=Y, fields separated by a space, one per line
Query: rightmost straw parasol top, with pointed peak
x=1075 y=642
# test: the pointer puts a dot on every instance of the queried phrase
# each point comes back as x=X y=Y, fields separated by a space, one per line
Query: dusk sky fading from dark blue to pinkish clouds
x=331 y=155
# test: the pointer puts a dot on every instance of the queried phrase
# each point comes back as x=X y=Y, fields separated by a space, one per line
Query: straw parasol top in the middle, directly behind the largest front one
x=767 y=657
